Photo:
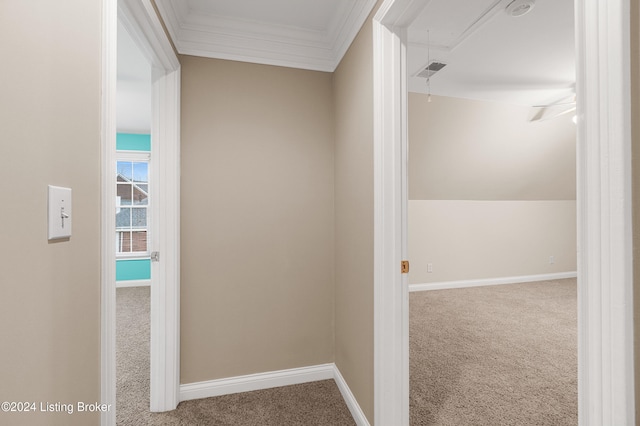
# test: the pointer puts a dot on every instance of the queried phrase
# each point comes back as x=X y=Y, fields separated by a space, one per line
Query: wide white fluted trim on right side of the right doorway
x=605 y=304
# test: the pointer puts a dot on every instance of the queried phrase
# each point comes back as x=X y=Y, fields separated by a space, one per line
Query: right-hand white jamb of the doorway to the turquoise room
x=165 y=291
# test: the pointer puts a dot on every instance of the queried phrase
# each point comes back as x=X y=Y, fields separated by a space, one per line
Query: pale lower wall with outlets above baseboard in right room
x=469 y=239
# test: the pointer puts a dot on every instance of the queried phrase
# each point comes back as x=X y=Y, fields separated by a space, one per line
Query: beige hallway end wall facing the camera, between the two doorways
x=256 y=218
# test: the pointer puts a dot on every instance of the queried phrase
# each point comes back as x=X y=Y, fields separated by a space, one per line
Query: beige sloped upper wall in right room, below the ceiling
x=473 y=150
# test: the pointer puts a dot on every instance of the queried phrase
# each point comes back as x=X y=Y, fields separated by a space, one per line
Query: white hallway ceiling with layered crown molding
x=307 y=34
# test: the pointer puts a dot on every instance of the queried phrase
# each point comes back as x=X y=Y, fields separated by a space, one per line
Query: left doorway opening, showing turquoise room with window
x=134 y=214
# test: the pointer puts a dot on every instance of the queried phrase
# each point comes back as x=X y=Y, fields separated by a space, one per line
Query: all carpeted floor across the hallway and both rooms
x=498 y=355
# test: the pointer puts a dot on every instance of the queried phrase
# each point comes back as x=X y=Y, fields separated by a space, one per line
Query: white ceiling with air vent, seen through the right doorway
x=490 y=55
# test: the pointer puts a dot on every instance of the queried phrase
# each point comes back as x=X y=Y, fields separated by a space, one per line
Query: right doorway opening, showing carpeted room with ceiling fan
x=492 y=200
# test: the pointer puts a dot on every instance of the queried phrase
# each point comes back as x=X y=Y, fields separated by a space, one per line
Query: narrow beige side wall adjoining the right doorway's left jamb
x=353 y=88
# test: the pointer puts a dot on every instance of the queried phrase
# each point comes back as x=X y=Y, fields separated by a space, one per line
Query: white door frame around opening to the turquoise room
x=141 y=21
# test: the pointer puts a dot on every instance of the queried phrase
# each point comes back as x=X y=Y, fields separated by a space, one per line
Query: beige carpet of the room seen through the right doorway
x=498 y=355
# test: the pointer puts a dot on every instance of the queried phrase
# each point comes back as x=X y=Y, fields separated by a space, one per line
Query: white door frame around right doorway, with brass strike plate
x=605 y=273
